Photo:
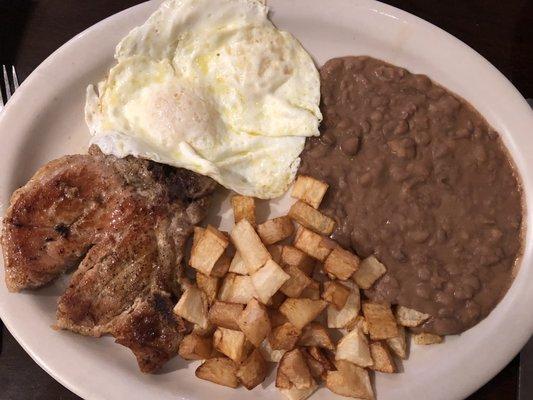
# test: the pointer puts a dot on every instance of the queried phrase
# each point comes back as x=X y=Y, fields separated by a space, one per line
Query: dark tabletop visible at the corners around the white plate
x=502 y=31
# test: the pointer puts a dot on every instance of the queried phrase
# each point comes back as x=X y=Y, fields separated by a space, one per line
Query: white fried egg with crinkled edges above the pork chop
x=212 y=86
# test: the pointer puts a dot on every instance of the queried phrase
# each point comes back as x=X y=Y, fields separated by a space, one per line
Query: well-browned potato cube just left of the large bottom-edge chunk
x=294 y=372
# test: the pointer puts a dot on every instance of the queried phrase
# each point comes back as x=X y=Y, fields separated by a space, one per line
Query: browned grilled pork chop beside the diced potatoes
x=125 y=222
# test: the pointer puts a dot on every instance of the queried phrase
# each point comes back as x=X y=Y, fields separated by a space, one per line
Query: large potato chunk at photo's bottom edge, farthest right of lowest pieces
x=350 y=380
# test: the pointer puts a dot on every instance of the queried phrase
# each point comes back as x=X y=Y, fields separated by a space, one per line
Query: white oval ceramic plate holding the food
x=44 y=120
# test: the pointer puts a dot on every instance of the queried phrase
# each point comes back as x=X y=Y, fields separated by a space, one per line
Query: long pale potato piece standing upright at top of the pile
x=248 y=243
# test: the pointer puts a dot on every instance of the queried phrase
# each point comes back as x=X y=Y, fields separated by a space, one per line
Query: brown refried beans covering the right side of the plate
x=419 y=179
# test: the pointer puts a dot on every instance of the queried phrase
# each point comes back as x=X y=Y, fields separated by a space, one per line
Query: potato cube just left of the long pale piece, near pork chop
x=207 y=249
